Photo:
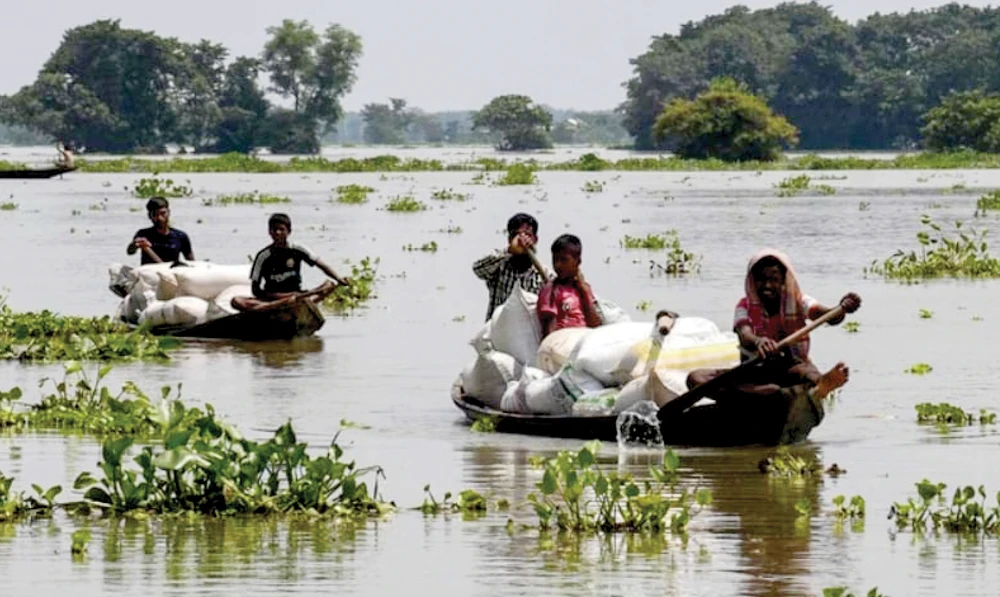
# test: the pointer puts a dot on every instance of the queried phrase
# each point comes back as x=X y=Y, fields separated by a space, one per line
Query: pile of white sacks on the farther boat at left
x=163 y=294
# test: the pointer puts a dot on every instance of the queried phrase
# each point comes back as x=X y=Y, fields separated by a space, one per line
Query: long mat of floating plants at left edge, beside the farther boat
x=46 y=336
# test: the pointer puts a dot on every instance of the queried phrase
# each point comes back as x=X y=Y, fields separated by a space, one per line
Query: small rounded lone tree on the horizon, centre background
x=516 y=121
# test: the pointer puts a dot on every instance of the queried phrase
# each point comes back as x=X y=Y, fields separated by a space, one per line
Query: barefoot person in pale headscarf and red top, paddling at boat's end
x=774 y=308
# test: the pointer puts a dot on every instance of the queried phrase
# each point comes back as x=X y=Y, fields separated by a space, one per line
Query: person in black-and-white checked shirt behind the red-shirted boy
x=511 y=267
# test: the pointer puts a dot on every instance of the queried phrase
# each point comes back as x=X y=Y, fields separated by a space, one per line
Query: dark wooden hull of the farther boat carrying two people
x=281 y=320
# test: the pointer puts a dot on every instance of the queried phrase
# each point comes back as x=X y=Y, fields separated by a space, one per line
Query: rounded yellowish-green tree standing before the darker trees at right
x=725 y=122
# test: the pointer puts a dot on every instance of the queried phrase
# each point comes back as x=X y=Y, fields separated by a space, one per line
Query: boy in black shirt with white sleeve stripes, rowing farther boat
x=276 y=272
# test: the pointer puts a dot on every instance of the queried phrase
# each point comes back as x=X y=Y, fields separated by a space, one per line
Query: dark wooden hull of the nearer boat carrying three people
x=770 y=421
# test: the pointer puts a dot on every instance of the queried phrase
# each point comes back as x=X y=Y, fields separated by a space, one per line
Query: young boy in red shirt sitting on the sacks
x=567 y=301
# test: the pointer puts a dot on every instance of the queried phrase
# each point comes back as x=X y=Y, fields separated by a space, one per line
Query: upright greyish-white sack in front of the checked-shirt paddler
x=514 y=328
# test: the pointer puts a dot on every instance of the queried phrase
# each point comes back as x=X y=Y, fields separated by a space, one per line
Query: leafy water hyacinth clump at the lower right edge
x=965 y=514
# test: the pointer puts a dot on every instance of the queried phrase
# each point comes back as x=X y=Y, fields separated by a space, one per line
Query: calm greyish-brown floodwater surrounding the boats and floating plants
x=390 y=367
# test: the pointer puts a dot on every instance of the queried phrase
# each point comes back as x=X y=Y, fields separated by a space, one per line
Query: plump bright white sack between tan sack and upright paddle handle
x=601 y=351
